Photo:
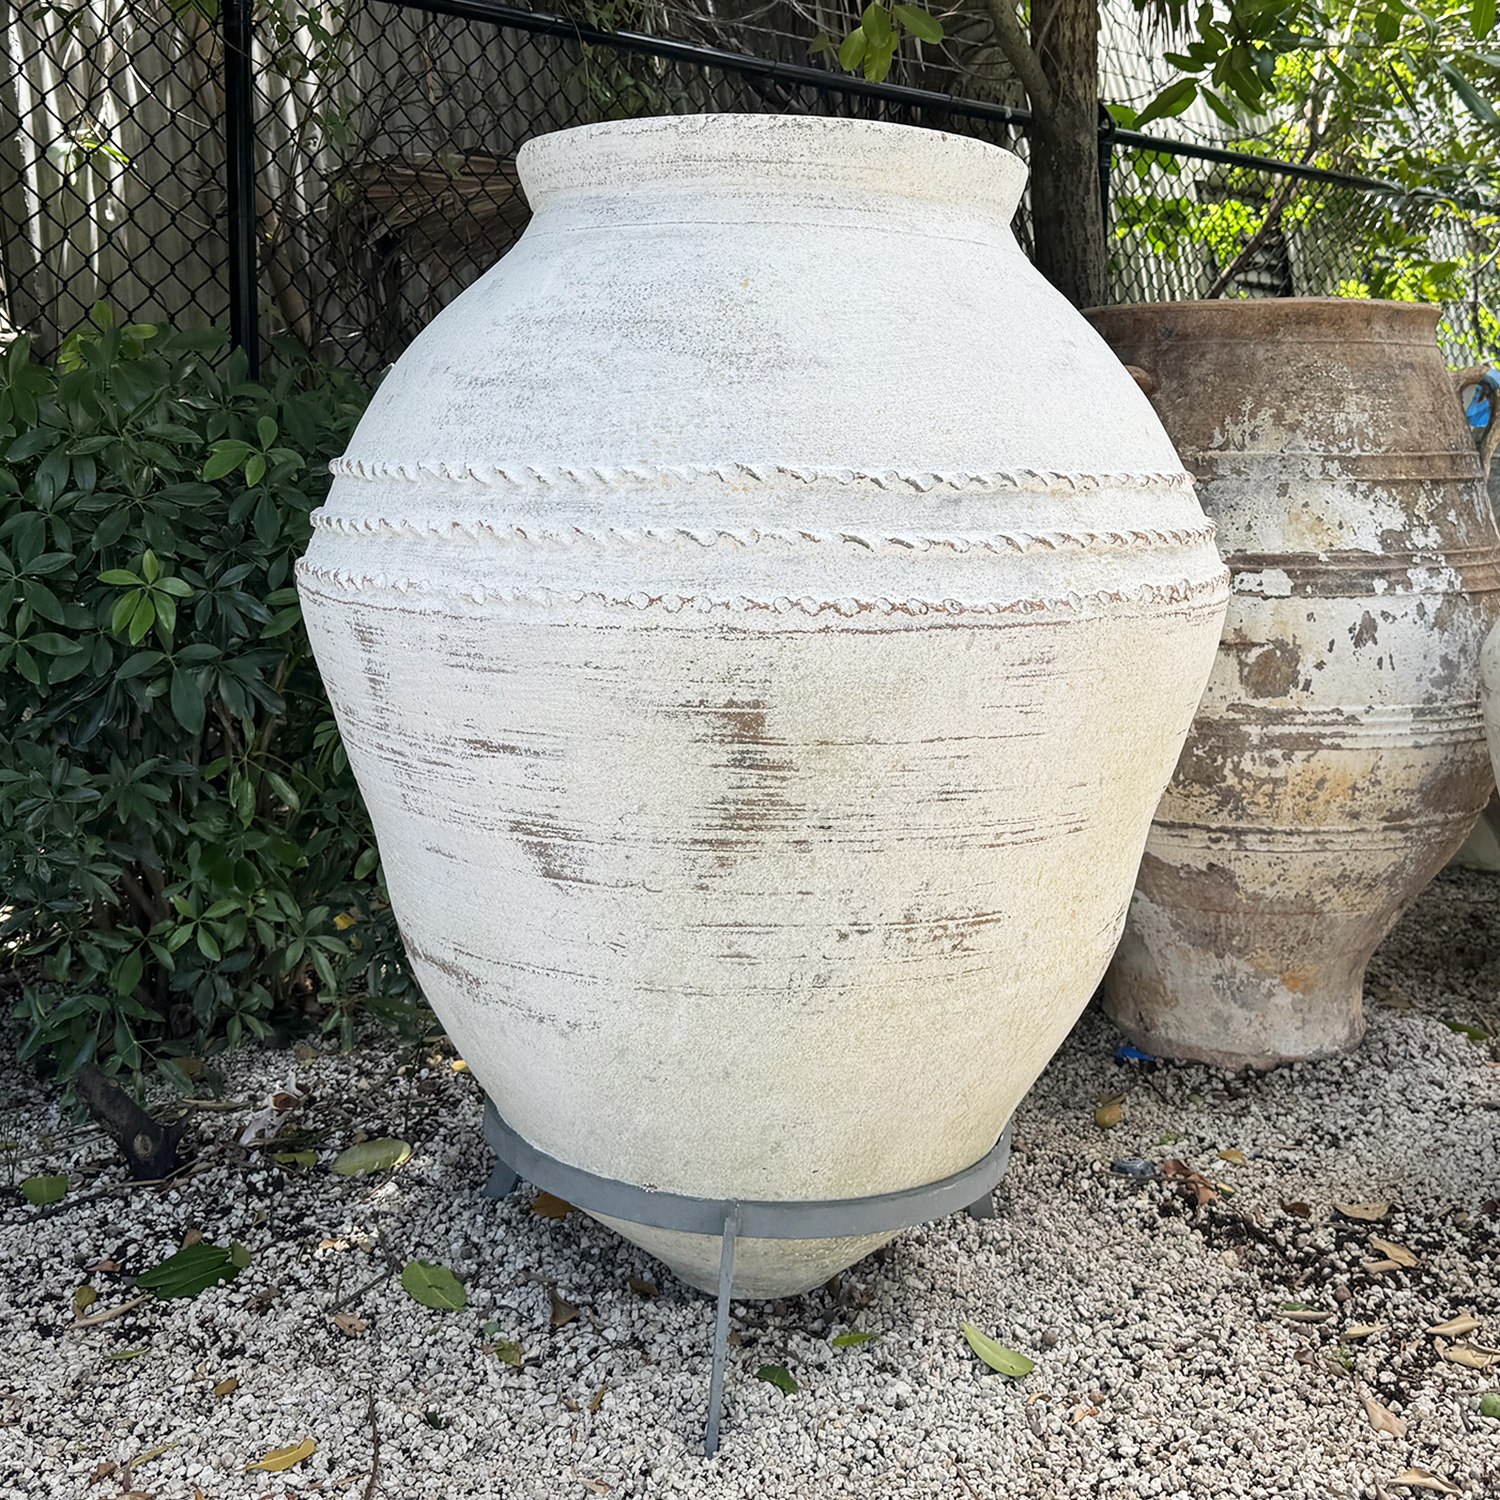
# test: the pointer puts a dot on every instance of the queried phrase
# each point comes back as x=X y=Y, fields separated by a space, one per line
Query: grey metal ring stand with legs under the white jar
x=734 y=1219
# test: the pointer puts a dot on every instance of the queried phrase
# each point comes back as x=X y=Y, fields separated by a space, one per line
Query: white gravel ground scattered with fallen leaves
x=1166 y=1364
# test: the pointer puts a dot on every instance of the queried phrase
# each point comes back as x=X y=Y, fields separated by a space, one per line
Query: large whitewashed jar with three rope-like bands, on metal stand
x=763 y=617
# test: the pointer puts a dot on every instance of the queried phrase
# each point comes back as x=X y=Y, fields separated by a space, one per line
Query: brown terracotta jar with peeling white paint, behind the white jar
x=1337 y=760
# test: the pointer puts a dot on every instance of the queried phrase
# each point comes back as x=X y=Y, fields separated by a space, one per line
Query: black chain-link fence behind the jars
x=380 y=154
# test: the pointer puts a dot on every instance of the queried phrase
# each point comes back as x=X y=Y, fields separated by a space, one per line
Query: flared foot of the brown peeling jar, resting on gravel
x=1205 y=1006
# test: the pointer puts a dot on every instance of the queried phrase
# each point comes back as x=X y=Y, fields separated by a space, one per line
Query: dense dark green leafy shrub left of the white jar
x=182 y=845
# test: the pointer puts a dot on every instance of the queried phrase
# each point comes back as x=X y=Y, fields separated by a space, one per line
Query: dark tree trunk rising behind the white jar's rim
x=1067 y=215
